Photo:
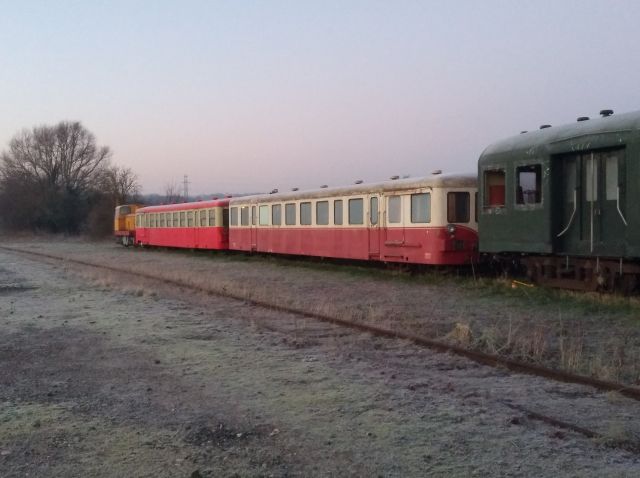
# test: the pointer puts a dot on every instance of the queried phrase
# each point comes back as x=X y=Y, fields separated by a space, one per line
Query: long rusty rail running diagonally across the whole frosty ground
x=476 y=356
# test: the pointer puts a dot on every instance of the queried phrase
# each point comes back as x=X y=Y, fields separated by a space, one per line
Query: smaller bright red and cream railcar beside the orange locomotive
x=193 y=225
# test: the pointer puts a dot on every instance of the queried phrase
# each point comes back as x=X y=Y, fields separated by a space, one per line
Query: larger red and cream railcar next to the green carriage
x=429 y=220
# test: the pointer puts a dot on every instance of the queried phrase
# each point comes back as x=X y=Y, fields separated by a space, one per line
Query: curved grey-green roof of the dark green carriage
x=626 y=122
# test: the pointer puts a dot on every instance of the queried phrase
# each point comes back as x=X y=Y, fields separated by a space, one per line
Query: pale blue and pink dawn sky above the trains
x=251 y=95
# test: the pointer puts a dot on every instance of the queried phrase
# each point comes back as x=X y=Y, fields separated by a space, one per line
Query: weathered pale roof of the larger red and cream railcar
x=432 y=181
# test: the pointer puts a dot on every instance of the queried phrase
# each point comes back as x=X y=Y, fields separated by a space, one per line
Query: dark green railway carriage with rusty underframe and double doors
x=566 y=201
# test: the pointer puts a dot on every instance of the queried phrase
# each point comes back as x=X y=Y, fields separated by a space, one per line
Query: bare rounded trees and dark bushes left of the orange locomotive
x=57 y=179
